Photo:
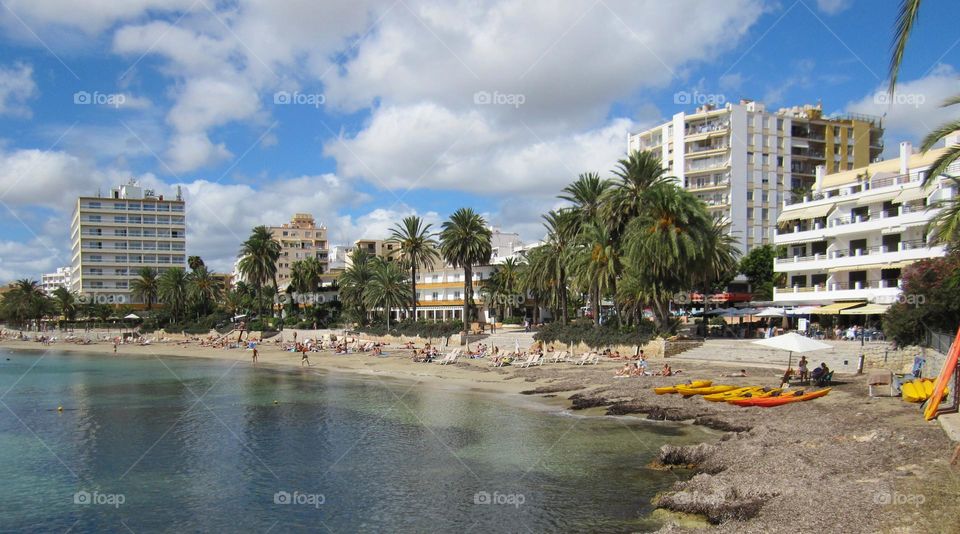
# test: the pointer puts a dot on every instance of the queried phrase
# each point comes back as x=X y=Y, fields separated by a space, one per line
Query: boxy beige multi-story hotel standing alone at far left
x=114 y=236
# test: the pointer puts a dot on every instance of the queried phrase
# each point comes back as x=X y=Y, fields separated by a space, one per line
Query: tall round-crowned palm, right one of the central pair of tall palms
x=465 y=242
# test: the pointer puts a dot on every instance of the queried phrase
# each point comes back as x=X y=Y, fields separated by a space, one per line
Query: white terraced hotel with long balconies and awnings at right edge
x=850 y=239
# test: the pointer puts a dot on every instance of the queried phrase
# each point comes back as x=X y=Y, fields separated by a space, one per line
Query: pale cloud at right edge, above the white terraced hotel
x=914 y=109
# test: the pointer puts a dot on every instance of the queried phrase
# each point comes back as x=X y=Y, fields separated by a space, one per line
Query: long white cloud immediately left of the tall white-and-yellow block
x=427 y=146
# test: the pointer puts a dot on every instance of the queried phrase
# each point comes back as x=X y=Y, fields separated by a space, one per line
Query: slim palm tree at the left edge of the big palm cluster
x=547 y=271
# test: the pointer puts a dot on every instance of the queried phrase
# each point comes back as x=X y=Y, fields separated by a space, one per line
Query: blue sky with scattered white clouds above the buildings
x=362 y=112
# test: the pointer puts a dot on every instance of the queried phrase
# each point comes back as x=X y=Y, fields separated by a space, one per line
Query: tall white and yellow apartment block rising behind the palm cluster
x=744 y=161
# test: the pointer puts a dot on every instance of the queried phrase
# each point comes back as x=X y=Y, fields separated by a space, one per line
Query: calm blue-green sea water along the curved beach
x=184 y=445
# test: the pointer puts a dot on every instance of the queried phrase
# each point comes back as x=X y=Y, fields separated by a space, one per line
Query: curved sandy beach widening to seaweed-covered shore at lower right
x=869 y=464
